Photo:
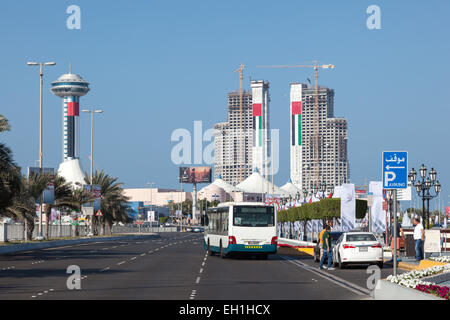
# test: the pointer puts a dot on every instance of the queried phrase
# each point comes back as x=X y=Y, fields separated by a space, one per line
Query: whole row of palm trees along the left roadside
x=19 y=194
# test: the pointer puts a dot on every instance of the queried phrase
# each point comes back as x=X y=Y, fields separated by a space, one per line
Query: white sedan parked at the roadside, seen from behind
x=358 y=248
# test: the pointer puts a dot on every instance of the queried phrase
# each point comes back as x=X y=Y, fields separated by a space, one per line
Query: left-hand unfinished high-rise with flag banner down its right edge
x=242 y=146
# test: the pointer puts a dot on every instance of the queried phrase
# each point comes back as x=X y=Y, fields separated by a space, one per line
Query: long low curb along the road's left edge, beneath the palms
x=61 y=243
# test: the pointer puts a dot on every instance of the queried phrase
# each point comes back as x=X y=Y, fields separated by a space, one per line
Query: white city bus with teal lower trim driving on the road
x=241 y=227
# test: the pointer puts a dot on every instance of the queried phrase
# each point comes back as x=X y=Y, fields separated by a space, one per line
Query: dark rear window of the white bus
x=253 y=216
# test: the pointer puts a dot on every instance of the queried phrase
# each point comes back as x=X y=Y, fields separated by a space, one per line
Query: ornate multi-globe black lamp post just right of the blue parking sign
x=423 y=186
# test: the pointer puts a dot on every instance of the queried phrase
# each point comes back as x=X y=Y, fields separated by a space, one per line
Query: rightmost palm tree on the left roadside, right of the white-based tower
x=113 y=201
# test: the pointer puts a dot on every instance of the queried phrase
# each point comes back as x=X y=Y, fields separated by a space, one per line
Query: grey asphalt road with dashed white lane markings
x=174 y=266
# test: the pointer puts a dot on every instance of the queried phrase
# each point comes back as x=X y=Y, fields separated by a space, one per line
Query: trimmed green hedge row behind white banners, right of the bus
x=328 y=209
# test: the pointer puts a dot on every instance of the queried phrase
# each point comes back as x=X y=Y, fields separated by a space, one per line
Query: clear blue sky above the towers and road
x=155 y=66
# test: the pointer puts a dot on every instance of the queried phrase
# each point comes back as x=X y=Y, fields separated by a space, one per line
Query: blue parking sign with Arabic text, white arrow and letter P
x=395 y=169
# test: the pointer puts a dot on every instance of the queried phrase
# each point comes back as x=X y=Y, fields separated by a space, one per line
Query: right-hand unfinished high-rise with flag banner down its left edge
x=331 y=166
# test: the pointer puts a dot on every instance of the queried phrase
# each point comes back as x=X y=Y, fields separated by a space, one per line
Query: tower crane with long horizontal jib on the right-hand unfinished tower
x=316 y=67
